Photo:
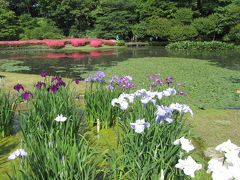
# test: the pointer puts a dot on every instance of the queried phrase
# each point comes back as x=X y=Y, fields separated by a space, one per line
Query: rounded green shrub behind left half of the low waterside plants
x=182 y=33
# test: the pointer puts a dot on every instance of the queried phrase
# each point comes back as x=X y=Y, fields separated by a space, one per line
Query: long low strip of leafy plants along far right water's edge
x=190 y=45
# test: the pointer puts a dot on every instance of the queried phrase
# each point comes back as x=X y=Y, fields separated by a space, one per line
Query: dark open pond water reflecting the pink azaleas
x=75 y=64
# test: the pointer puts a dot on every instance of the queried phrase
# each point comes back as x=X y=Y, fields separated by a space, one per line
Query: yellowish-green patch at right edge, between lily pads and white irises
x=215 y=126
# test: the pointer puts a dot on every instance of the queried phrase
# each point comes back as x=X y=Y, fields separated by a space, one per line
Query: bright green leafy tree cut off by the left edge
x=8 y=25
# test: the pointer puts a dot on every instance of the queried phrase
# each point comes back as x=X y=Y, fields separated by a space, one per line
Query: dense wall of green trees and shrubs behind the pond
x=154 y=20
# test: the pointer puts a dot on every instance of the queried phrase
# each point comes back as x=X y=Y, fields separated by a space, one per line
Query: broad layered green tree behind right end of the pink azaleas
x=115 y=17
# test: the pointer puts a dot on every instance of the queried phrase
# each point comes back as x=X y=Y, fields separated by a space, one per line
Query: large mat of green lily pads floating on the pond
x=207 y=85
